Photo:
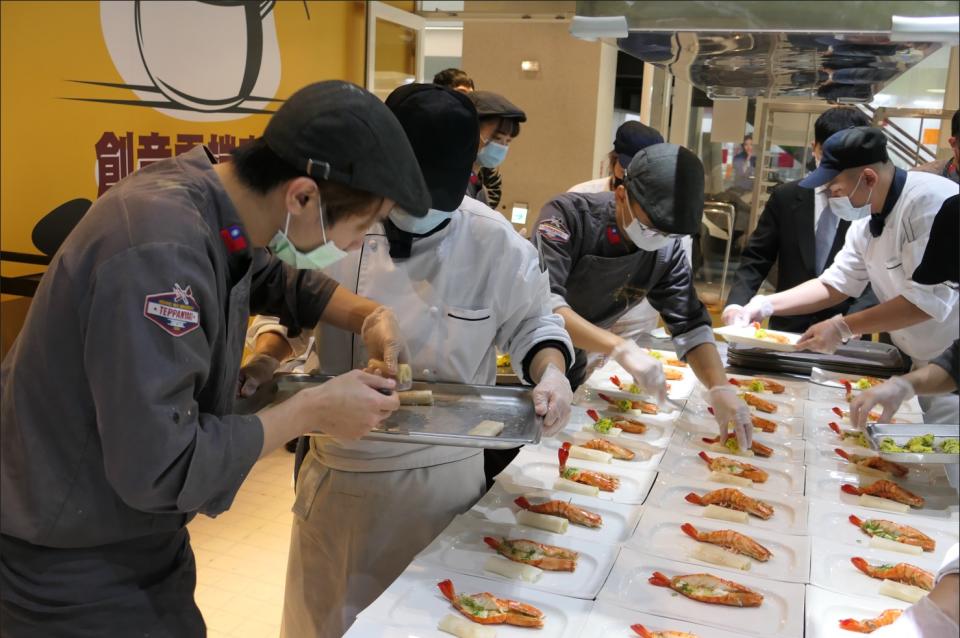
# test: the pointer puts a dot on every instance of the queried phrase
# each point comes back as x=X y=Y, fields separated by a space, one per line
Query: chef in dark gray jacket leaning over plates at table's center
x=608 y=251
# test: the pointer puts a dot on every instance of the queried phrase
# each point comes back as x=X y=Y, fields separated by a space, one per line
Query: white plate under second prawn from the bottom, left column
x=460 y=547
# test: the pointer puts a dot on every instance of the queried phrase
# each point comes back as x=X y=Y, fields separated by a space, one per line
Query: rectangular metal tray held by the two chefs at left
x=456 y=410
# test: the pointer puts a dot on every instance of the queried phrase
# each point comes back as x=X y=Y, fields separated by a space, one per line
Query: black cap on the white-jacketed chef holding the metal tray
x=442 y=127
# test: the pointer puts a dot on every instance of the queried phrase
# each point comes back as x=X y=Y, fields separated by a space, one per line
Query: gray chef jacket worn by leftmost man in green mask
x=117 y=395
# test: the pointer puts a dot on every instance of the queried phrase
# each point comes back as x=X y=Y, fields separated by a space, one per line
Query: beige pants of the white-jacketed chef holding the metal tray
x=355 y=532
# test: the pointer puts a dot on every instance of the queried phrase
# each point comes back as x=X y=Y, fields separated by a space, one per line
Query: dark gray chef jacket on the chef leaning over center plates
x=600 y=275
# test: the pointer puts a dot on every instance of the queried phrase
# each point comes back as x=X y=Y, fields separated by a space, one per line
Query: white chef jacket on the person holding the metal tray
x=466 y=290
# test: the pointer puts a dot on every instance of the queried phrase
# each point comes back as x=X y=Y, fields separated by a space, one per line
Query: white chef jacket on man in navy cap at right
x=887 y=263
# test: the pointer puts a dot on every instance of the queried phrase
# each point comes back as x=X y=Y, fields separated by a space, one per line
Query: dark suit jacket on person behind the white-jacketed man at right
x=785 y=235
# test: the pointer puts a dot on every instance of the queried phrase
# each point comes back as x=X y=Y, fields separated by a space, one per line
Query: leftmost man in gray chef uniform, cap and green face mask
x=117 y=396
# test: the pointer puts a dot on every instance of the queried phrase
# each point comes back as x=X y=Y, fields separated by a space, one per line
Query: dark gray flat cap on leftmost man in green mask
x=337 y=131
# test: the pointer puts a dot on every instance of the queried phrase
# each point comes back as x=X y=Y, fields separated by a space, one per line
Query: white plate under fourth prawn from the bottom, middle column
x=790 y=510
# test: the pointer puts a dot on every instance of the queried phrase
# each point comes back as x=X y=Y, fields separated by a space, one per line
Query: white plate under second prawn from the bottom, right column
x=830 y=567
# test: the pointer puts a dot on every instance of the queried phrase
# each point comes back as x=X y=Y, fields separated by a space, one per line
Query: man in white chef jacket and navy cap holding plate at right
x=891 y=211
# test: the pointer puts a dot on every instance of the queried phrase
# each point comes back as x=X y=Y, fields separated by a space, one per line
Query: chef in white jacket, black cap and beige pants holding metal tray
x=364 y=509
